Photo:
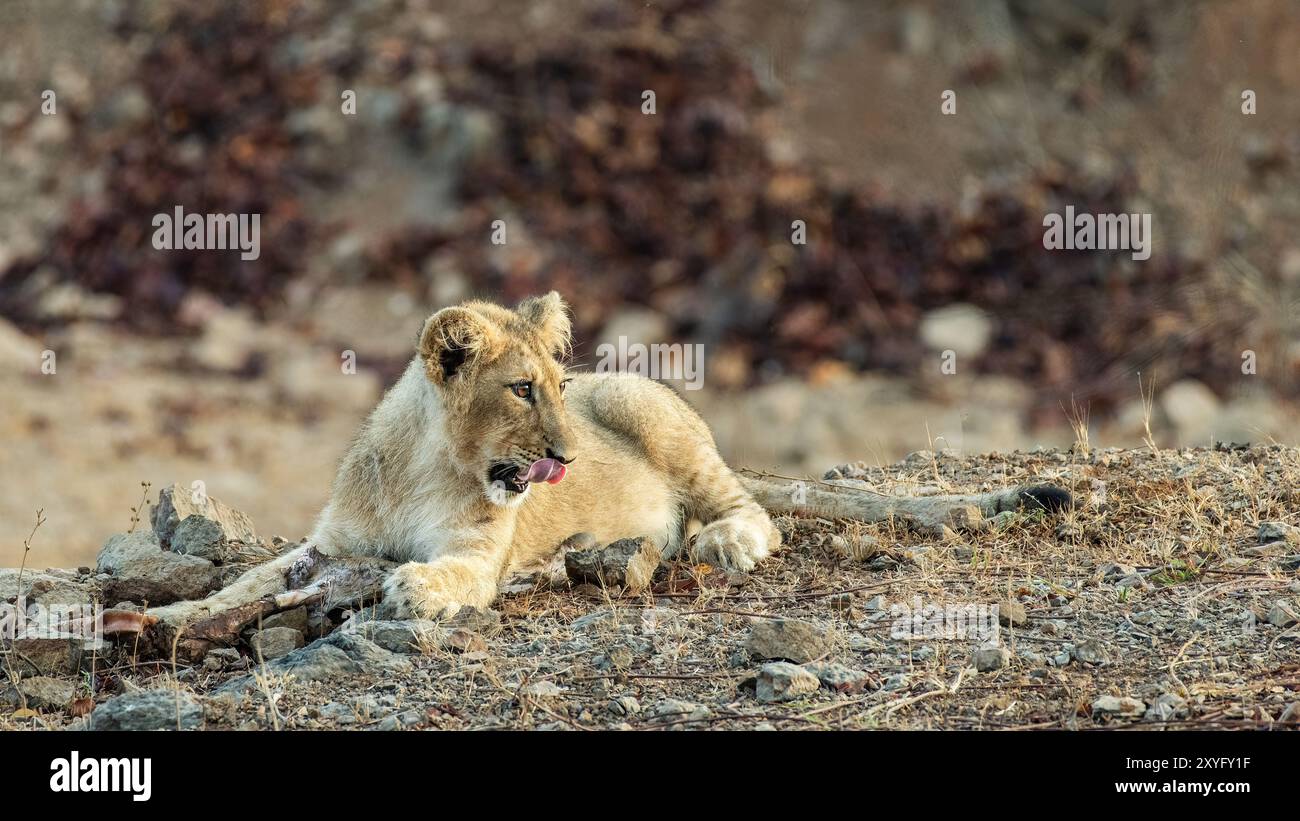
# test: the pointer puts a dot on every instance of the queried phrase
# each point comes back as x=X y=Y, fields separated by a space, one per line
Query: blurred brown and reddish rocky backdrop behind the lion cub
x=925 y=232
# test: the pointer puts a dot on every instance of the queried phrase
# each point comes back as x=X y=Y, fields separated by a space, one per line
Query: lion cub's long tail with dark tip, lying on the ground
x=846 y=501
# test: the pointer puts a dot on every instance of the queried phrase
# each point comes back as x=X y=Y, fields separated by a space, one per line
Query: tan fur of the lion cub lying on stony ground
x=414 y=488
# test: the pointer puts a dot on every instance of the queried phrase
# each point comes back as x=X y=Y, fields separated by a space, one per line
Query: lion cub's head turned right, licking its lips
x=504 y=390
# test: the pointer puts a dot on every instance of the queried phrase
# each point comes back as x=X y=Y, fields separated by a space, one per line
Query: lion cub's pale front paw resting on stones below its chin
x=440 y=588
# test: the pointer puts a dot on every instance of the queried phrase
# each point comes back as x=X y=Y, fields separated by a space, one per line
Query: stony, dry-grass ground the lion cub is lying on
x=1167 y=598
